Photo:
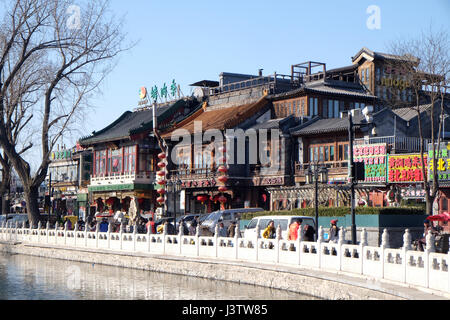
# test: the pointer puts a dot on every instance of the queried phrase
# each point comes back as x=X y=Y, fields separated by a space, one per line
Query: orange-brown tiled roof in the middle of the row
x=220 y=119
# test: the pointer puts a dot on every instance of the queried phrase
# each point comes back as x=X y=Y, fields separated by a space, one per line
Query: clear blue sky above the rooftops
x=194 y=40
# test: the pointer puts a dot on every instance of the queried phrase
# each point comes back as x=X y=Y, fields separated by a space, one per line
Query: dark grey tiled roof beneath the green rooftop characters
x=130 y=123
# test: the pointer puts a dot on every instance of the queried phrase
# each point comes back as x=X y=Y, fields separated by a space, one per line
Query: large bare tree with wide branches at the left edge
x=53 y=56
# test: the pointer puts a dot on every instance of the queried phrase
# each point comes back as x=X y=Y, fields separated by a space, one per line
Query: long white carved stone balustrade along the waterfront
x=426 y=269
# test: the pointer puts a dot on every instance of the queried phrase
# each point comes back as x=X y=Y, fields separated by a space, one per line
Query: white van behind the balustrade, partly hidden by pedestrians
x=283 y=221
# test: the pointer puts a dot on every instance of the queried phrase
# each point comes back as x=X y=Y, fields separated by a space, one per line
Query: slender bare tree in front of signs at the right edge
x=426 y=67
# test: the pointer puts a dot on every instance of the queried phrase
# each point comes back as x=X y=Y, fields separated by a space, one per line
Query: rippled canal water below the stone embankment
x=33 y=278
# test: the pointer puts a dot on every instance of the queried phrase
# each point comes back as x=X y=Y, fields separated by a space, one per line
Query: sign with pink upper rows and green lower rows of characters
x=374 y=157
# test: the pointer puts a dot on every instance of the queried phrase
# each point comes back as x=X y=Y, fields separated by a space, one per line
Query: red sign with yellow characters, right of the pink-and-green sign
x=405 y=168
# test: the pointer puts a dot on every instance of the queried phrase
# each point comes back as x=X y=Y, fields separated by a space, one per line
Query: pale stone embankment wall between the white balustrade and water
x=321 y=284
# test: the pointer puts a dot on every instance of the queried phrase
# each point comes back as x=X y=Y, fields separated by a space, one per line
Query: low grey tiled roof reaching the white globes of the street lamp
x=318 y=125
